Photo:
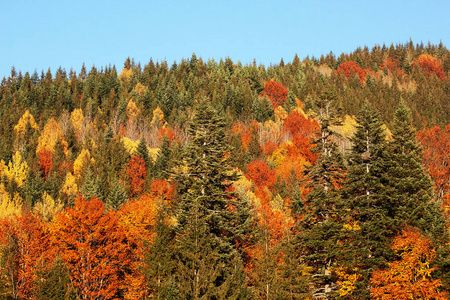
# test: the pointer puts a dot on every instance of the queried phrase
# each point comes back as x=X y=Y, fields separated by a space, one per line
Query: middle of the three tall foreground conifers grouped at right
x=367 y=226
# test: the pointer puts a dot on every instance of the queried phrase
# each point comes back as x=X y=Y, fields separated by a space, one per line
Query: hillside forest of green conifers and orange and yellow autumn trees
x=320 y=178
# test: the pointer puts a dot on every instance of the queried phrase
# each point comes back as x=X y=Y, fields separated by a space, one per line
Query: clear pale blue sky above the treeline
x=36 y=35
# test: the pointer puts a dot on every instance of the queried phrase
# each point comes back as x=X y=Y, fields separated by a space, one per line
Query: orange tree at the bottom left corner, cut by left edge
x=32 y=252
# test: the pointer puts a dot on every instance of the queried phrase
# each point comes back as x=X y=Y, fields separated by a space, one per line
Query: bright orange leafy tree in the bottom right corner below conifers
x=409 y=277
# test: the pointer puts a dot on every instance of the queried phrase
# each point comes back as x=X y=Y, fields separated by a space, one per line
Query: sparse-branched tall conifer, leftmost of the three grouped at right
x=320 y=225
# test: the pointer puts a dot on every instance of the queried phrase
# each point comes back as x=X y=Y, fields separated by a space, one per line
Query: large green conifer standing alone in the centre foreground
x=210 y=221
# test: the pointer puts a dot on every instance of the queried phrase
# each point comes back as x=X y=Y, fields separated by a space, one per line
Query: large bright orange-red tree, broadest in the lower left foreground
x=97 y=251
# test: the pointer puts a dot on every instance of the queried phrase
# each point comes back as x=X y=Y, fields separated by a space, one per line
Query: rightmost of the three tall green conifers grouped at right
x=411 y=189
